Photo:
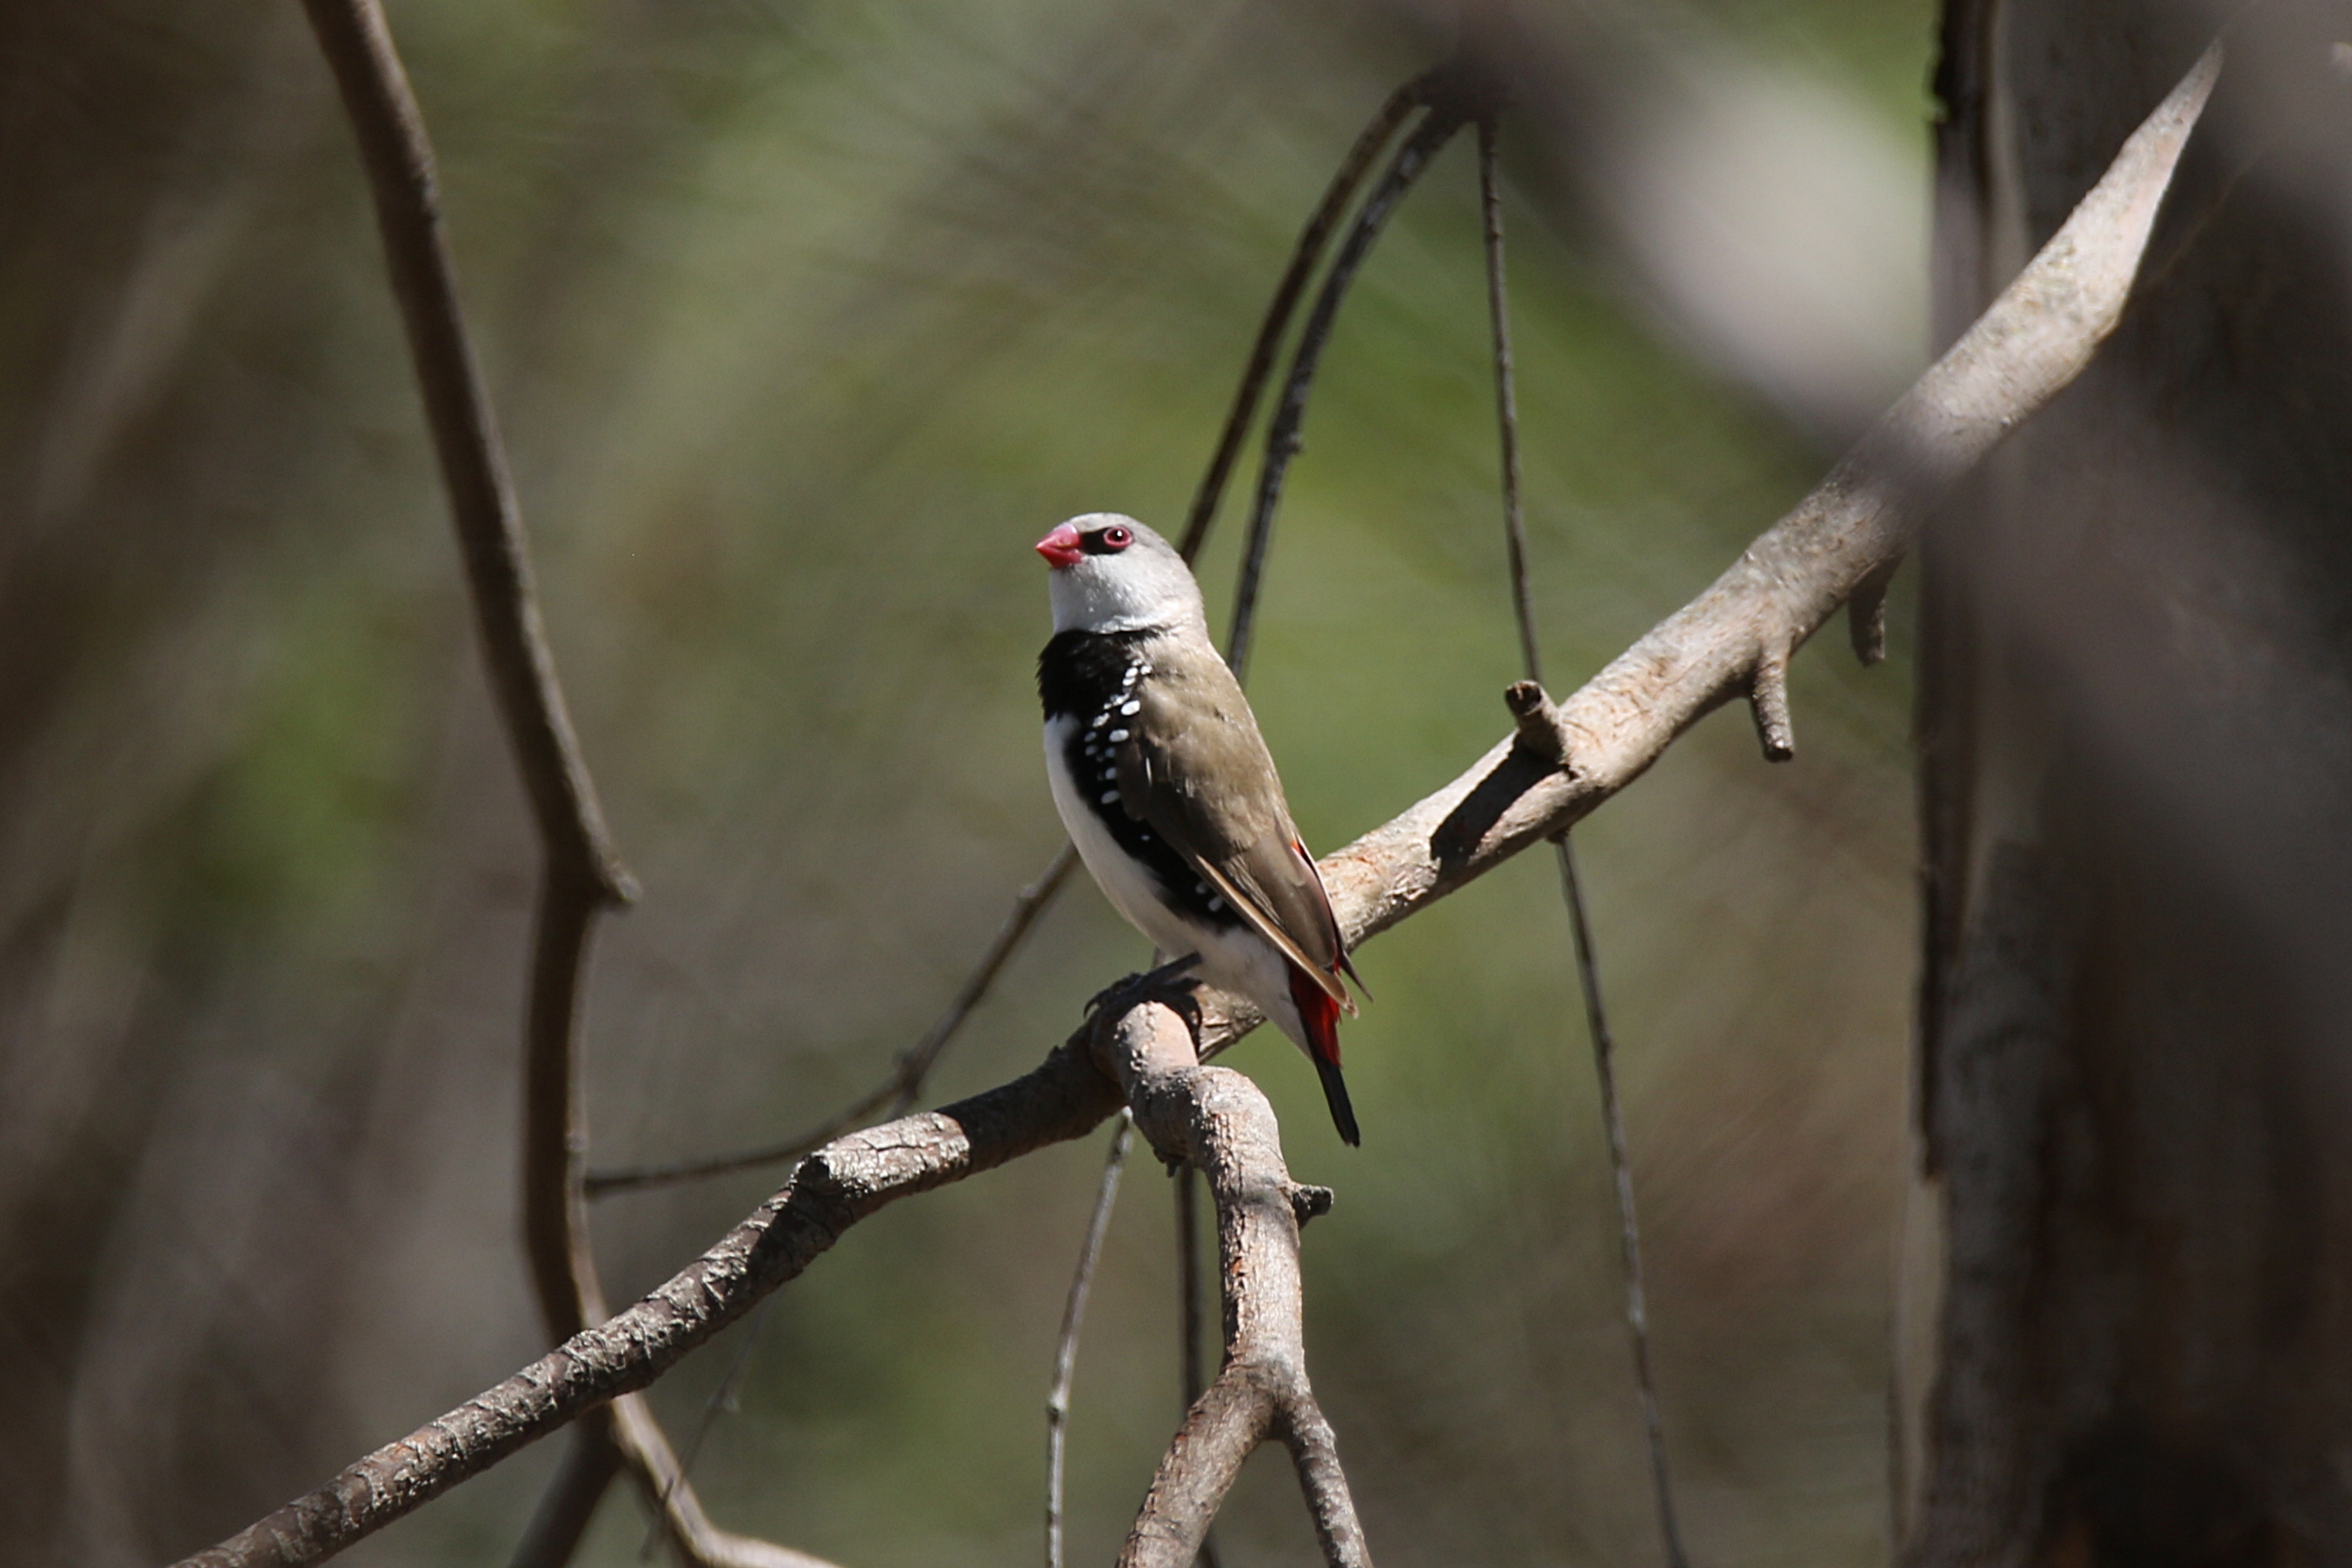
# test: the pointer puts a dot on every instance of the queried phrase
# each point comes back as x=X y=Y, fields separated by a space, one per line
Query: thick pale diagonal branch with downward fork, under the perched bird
x=2019 y=356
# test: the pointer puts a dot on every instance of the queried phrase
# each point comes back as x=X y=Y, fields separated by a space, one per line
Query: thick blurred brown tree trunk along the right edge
x=2137 y=810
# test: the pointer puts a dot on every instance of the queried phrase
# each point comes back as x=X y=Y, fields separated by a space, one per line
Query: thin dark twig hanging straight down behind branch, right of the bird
x=1506 y=401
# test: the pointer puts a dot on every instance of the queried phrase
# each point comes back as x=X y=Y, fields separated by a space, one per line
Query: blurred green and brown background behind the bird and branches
x=803 y=323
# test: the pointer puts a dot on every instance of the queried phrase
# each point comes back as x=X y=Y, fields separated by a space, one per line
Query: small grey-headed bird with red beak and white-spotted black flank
x=1170 y=793
